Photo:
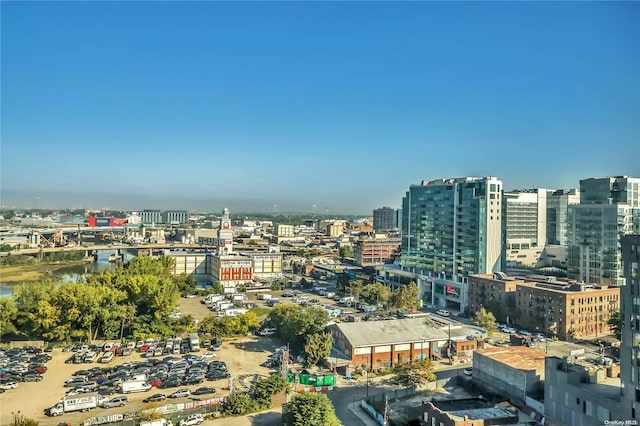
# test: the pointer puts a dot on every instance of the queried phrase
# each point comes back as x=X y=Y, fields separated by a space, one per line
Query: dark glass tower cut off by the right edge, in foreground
x=630 y=317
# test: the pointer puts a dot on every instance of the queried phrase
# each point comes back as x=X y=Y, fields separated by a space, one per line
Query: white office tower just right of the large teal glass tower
x=525 y=222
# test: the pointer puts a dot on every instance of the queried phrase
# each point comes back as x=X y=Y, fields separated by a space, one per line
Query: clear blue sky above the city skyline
x=206 y=105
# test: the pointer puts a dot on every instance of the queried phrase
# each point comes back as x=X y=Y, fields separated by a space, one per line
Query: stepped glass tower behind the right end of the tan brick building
x=608 y=209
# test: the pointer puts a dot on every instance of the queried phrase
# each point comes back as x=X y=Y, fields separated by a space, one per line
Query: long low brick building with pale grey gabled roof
x=381 y=344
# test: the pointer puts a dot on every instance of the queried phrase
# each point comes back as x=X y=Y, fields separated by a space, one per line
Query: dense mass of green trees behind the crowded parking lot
x=134 y=300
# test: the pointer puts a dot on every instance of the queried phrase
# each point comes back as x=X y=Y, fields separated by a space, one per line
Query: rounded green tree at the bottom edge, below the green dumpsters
x=311 y=409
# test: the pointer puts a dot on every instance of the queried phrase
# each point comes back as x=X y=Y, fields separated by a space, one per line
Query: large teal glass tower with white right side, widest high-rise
x=452 y=227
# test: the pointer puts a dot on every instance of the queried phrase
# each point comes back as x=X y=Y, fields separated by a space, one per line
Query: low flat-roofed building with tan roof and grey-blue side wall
x=511 y=371
